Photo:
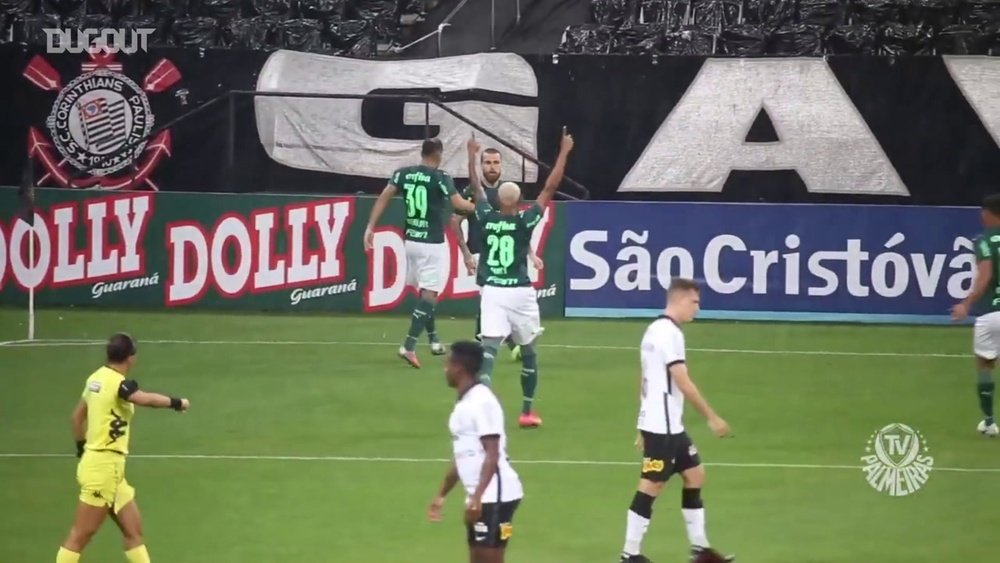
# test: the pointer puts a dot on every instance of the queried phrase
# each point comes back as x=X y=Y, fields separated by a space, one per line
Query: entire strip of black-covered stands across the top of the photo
x=366 y=28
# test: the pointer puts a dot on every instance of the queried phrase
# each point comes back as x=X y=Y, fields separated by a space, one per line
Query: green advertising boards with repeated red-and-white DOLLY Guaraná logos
x=253 y=252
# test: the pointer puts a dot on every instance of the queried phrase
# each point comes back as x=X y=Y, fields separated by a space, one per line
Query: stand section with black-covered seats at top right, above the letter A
x=787 y=27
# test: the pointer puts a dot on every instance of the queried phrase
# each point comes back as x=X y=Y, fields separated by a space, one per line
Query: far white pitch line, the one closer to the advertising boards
x=57 y=343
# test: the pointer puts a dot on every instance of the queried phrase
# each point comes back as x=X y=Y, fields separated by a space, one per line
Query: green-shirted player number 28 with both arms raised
x=508 y=303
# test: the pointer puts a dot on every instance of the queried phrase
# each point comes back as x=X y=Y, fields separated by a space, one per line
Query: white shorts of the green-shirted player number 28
x=510 y=311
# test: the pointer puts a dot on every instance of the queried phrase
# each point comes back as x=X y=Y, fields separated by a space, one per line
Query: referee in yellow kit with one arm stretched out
x=105 y=411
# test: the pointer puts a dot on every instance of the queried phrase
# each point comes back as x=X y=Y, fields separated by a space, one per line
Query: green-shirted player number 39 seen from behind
x=426 y=191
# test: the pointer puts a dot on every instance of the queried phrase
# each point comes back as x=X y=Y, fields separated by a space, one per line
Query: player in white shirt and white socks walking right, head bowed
x=666 y=447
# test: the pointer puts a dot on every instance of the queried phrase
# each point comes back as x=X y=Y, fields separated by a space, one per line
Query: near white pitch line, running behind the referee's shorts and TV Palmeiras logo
x=446 y=460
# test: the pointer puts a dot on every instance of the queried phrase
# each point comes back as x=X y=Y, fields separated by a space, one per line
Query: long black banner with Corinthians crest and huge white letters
x=909 y=130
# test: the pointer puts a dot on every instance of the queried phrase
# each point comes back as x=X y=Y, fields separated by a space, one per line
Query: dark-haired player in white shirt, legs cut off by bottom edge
x=493 y=489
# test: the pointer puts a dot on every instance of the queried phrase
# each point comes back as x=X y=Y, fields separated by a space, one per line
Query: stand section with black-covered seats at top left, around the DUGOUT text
x=349 y=27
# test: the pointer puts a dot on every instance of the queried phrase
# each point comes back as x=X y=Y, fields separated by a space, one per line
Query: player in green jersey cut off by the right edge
x=986 y=294
